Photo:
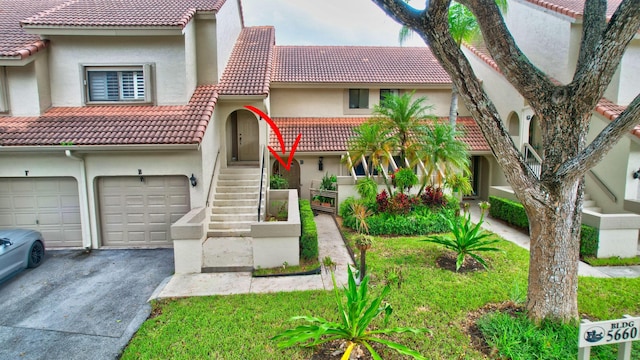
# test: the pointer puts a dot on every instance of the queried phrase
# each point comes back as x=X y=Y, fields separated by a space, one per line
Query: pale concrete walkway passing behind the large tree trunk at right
x=522 y=239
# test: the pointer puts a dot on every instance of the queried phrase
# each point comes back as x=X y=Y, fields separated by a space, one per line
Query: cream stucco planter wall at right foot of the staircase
x=277 y=242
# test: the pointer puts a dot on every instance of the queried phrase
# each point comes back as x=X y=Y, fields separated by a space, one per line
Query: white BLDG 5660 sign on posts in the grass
x=621 y=331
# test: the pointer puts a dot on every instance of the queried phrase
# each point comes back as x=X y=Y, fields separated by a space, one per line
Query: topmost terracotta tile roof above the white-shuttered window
x=110 y=13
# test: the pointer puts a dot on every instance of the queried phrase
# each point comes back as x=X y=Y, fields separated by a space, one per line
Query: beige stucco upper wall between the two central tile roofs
x=333 y=101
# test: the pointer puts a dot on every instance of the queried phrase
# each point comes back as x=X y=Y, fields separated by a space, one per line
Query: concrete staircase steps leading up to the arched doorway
x=235 y=202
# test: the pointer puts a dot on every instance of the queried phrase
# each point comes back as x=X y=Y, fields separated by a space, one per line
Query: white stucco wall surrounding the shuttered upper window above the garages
x=70 y=53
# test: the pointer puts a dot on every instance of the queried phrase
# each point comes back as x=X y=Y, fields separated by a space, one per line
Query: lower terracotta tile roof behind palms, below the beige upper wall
x=332 y=134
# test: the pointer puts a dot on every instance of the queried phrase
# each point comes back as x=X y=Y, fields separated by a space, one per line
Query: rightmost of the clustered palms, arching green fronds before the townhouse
x=442 y=153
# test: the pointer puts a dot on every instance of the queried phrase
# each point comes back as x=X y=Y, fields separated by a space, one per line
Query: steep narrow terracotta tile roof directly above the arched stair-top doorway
x=249 y=68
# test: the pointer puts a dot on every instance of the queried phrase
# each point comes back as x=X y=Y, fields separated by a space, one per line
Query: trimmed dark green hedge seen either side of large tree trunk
x=513 y=213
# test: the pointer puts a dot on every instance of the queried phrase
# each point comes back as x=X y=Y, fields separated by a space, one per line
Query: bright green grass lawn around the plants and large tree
x=240 y=326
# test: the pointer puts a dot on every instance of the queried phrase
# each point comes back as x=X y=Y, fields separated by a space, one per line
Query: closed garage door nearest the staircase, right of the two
x=140 y=213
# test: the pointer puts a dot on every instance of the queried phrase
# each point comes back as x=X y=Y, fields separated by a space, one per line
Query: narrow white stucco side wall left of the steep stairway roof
x=228 y=27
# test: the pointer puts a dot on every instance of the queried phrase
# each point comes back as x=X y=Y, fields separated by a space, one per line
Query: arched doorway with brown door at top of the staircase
x=243 y=140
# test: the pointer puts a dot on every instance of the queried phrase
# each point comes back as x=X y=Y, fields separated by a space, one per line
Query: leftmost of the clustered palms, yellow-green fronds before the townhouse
x=373 y=140
